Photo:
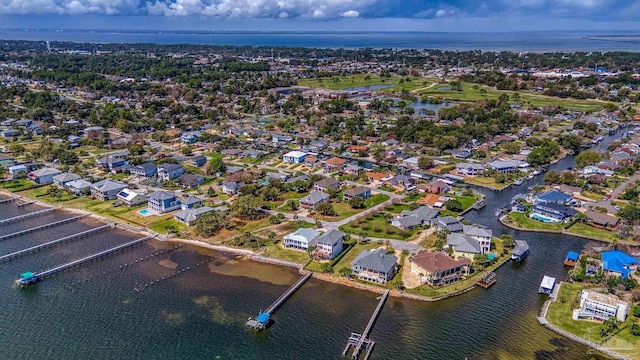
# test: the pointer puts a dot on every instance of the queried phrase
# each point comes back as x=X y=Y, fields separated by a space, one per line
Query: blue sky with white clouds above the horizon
x=323 y=15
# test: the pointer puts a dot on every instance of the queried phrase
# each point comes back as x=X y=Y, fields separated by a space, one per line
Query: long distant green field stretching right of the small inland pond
x=468 y=93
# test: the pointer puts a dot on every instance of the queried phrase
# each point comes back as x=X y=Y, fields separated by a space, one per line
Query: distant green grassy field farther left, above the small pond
x=357 y=80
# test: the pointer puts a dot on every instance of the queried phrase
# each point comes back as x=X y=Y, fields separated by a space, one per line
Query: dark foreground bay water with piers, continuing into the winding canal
x=103 y=310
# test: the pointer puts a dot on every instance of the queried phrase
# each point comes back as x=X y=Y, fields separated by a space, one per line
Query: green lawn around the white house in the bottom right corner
x=560 y=312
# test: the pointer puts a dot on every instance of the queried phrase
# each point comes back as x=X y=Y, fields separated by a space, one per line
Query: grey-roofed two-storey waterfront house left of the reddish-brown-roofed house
x=375 y=266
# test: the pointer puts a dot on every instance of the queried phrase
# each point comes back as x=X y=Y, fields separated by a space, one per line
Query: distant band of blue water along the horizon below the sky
x=514 y=41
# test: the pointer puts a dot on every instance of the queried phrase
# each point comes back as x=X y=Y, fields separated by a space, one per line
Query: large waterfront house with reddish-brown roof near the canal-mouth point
x=437 y=269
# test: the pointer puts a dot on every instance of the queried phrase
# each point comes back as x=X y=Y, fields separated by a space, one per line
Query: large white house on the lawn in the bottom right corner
x=600 y=307
